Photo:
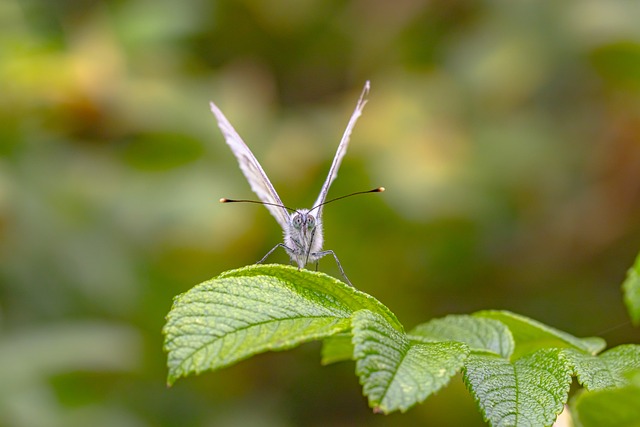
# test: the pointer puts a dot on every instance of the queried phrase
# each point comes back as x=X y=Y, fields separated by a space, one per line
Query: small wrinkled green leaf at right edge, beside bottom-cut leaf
x=607 y=370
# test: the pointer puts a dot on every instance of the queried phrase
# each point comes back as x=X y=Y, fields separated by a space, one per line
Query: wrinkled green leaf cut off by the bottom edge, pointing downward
x=529 y=391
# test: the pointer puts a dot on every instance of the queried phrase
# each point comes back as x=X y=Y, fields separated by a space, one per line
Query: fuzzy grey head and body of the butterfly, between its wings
x=303 y=238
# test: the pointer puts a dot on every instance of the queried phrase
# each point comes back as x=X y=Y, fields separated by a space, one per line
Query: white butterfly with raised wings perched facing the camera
x=303 y=227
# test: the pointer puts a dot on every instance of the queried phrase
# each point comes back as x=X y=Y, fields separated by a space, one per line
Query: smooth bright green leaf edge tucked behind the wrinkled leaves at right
x=531 y=335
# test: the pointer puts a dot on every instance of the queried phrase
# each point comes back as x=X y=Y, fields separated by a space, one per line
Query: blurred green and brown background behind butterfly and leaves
x=506 y=133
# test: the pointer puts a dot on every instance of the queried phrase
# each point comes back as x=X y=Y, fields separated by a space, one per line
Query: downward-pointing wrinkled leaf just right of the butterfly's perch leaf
x=395 y=371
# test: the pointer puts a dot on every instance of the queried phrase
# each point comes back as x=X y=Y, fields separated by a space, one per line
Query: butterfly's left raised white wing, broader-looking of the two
x=251 y=169
